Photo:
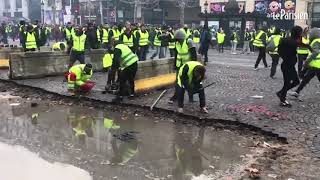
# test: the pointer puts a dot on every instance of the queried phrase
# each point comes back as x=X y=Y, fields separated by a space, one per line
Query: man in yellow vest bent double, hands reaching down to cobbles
x=190 y=78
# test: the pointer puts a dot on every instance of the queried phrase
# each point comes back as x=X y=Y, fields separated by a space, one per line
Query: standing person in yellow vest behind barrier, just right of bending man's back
x=142 y=37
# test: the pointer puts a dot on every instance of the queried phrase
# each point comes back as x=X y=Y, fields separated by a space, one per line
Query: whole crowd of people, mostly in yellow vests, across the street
x=127 y=44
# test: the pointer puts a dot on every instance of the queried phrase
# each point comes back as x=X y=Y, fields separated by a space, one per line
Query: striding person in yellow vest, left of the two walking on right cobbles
x=260 y=42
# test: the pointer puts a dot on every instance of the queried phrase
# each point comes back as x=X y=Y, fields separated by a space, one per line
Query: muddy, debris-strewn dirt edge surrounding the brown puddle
x=272 y=160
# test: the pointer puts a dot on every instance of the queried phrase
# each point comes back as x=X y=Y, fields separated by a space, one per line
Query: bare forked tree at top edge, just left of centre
x=141 y=4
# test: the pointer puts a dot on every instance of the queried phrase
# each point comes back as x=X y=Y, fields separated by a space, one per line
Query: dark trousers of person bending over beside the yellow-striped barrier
x=128 y=74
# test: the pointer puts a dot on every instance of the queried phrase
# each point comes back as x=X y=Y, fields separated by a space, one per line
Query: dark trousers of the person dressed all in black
x=290 y=80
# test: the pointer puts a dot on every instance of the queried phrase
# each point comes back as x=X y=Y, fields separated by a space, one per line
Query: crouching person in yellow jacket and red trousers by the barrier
x=79 y=78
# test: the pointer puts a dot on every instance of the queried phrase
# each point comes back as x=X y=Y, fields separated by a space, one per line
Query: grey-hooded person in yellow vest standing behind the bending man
x=185 y=52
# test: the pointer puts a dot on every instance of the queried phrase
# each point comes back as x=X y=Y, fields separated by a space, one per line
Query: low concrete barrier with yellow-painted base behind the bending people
x=151 y=73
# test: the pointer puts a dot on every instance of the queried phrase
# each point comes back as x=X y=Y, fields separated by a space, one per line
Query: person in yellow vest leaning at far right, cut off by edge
x=312 y=64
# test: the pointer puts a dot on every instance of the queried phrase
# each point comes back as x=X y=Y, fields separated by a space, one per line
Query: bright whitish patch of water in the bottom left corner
x=18 y=163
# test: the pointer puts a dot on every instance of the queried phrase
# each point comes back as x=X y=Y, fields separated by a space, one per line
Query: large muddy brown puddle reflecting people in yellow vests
x=123 y=146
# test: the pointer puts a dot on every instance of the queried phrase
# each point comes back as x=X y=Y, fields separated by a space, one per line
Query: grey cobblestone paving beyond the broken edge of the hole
x=231 y=99
